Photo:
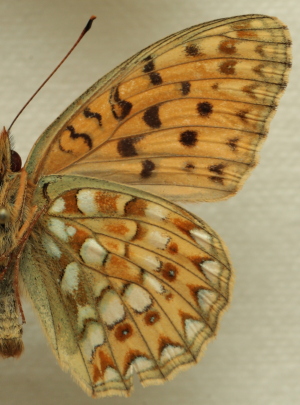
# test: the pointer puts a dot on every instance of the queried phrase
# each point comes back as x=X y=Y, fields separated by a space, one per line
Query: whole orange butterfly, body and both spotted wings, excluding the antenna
x=122 y=279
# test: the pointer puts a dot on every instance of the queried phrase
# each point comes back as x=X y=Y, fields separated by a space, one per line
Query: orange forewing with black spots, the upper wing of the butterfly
x=184 y=118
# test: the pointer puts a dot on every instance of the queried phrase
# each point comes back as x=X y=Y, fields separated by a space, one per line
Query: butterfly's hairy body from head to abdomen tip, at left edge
x=12 y=199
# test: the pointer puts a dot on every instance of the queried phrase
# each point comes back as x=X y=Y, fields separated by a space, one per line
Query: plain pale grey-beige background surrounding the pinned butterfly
x=256 y=356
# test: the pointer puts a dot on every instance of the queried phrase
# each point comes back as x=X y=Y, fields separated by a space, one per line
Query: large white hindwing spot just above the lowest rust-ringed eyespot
x=111 y=308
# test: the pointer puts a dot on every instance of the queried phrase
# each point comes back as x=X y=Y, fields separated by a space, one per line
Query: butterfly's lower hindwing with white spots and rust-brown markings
x=122 y=281
